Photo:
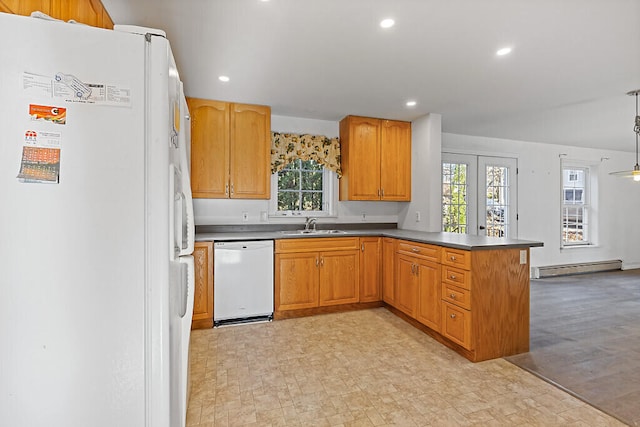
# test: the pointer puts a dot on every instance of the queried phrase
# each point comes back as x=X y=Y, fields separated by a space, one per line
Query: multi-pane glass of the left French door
x=454 y=197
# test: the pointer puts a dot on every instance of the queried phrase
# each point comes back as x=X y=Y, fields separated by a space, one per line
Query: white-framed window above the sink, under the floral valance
x=302 y=188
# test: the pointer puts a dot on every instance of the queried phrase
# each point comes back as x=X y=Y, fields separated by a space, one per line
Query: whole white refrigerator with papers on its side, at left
x=96 y=227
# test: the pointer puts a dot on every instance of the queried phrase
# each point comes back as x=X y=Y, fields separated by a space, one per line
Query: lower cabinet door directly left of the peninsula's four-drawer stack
x=429 y=294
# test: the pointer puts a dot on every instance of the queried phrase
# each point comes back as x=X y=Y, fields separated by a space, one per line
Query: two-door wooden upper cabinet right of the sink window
x=376 y=159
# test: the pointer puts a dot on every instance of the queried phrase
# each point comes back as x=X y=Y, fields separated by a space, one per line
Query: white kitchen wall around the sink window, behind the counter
x=229 y=211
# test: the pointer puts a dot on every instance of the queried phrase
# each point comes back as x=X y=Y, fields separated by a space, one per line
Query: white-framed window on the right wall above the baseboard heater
x=575 y=206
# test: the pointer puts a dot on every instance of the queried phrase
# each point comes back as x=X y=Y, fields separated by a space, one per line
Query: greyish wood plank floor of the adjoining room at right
x=585 y=337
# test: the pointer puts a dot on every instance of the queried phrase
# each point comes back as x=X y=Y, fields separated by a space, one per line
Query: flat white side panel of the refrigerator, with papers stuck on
x=73 y=252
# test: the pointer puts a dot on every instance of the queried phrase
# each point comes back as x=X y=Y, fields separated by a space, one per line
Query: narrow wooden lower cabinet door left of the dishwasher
x=203 y=289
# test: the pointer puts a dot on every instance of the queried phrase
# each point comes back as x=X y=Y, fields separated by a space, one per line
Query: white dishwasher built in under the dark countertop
x=243 y=281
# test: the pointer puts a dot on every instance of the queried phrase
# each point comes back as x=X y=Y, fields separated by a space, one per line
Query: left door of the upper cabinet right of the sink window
x=360 y=151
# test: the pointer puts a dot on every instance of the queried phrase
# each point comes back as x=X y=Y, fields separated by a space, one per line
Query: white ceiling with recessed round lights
x=565 y=82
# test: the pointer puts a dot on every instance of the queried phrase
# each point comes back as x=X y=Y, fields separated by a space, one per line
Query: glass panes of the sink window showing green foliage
x=300 y=186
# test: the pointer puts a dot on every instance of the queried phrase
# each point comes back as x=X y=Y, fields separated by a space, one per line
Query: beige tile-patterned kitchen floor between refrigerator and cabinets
x=362 y=368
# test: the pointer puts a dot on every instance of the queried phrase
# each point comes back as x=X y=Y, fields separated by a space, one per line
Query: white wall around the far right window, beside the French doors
x=539 y=183
